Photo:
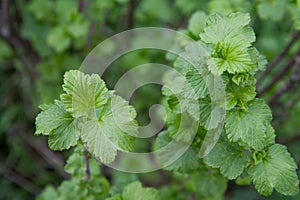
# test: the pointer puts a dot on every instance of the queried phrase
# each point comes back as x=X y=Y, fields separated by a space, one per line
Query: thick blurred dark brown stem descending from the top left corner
x=10 y=23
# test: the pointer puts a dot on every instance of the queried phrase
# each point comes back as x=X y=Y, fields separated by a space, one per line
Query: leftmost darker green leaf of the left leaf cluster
x=59 y=125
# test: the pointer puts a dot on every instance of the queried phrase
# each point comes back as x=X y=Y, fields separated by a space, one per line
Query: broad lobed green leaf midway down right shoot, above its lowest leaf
x=248 y=125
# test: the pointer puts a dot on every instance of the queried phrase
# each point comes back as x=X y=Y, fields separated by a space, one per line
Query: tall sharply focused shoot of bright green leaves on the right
x=247 y=123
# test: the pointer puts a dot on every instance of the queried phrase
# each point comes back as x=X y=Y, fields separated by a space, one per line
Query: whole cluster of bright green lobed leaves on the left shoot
x=89 y=112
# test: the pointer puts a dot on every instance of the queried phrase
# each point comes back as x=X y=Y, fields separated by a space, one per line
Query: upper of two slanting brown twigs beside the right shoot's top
x=273 y=63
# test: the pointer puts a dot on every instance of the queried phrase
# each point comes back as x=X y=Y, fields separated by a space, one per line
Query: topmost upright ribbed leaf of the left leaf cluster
x=83 y=94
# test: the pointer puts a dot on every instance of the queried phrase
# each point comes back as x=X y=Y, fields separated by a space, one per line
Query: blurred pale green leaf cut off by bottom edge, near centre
x=137 y=192
